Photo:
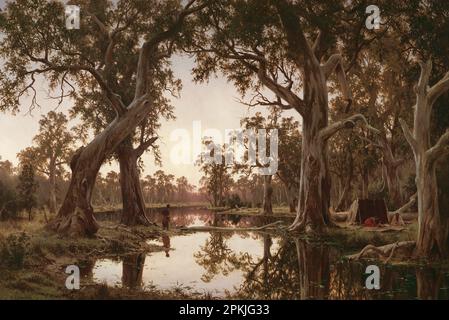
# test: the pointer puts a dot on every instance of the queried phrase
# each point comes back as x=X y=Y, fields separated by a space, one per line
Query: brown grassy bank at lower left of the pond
x=33 y=260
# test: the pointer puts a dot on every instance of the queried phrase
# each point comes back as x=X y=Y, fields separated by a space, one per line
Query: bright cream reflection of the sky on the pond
x=181 y=268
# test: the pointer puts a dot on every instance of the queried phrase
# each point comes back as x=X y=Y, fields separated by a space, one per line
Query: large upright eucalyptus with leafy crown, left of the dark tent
x=275 y=50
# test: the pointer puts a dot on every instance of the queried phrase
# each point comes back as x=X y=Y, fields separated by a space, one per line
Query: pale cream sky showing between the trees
x=214 y=104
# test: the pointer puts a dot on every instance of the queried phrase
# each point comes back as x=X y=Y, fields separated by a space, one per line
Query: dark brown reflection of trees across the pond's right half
x=298 y=269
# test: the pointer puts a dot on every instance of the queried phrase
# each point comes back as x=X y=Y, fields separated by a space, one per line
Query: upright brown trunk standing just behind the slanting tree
x=133 y=210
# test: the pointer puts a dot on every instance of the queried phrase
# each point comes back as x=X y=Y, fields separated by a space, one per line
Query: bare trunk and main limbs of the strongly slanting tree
x=75 y=217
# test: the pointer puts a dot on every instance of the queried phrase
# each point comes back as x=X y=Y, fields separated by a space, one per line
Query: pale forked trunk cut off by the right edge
x=433 y=227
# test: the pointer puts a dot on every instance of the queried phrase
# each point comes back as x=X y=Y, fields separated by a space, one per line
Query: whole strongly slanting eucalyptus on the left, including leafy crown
x=39 y=45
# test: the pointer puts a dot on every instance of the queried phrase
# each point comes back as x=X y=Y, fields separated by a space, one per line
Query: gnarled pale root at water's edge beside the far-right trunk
x=403 y=249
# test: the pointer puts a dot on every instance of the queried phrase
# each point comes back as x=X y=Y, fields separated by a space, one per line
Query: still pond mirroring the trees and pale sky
x=255 y=265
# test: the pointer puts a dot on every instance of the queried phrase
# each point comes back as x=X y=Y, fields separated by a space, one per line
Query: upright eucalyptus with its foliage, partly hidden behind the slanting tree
x=93 y=107
